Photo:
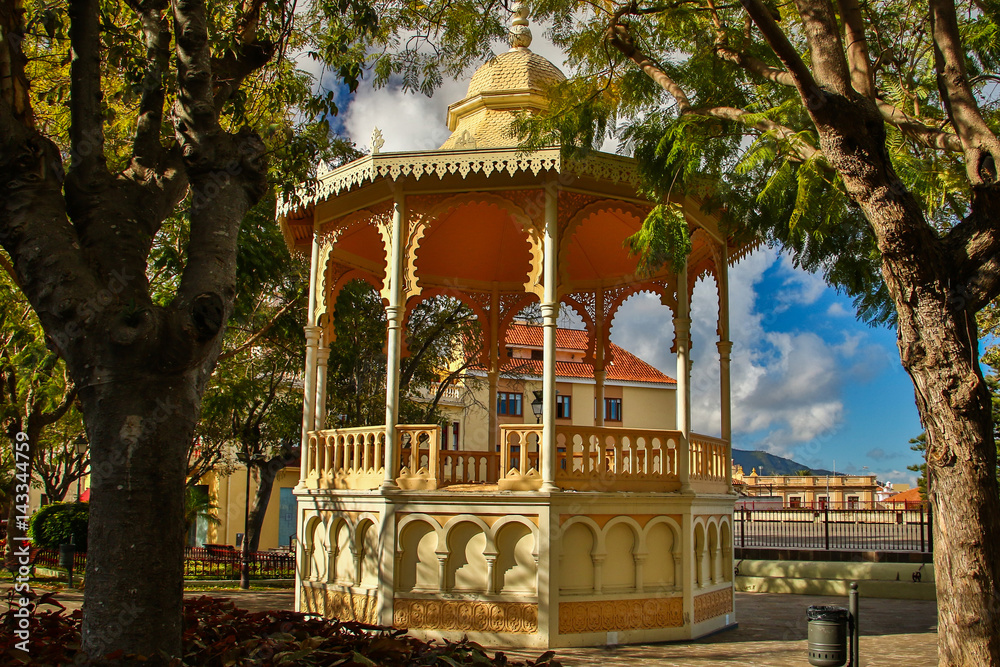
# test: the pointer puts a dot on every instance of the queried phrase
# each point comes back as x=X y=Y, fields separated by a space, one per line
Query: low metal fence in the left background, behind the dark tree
x=202 y=563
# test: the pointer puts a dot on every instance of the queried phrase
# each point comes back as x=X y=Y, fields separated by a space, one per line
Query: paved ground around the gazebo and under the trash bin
x=771 y=633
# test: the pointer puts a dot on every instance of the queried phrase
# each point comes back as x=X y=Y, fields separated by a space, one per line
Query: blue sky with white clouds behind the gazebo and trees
x=809 y=381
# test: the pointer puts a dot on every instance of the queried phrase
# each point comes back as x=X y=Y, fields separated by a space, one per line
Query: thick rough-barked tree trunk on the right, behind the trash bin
x=938 y=346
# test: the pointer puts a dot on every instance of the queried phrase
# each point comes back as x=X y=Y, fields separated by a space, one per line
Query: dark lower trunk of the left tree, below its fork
x=138 y=433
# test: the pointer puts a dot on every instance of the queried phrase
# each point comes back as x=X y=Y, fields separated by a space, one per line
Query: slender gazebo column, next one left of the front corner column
x=394 y=316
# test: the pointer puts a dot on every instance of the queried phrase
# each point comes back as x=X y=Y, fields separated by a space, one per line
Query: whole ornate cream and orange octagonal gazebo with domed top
x=544 y=535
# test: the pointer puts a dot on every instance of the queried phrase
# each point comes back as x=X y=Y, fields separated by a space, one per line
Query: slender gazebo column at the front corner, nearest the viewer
x=550 y=316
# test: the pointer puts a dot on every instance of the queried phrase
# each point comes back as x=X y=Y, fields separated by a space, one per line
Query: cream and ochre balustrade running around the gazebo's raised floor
x=588 y=458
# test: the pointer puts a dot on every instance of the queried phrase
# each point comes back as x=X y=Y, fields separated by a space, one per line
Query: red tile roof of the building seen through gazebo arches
x=623 y=365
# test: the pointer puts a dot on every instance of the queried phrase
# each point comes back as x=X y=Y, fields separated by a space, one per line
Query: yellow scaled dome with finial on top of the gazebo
x=514 y=82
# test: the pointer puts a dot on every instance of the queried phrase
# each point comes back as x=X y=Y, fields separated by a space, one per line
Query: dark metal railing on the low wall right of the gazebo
x=907 y=530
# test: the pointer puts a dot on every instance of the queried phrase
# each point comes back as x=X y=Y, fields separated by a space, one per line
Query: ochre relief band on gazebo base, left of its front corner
x=466 y=616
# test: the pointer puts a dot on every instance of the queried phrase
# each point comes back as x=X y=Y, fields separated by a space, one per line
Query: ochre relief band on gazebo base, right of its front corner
x=615 y=615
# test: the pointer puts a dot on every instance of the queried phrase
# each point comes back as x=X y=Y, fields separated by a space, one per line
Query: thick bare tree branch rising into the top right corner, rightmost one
x=982 y=149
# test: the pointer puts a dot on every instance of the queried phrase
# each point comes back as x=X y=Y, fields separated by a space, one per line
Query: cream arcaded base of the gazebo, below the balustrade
x=522 y=568
